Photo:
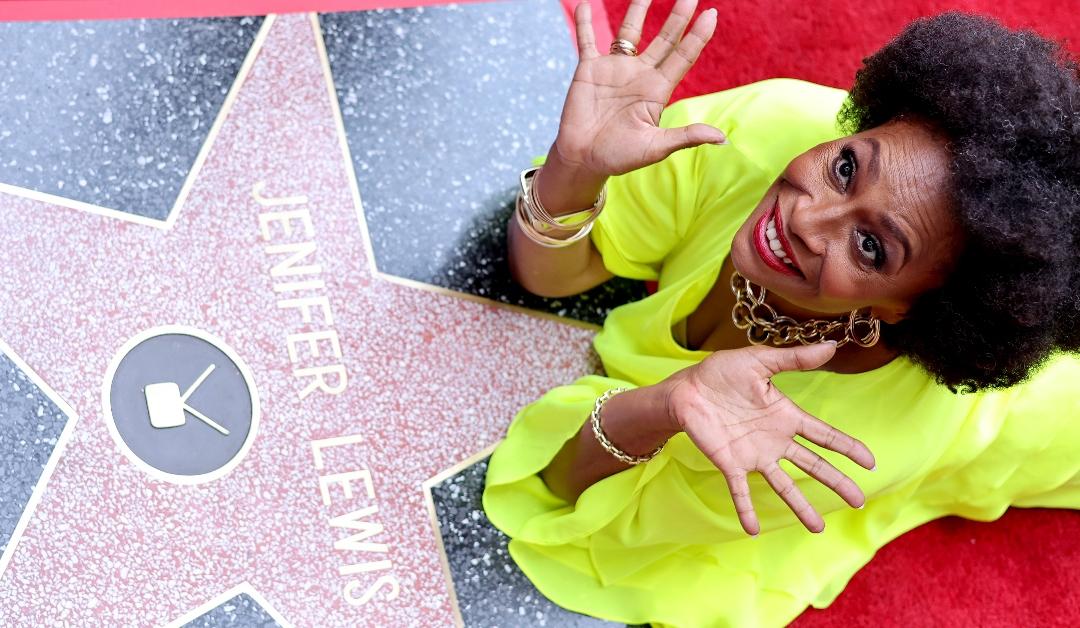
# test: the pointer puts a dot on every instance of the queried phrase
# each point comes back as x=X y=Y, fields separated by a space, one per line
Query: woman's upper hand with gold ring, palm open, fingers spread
x=610 y=123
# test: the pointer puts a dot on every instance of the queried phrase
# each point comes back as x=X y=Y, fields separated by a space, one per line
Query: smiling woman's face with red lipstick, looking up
x=863 y=222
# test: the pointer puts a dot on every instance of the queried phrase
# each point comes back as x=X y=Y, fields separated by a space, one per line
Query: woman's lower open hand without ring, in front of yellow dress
x=730 y=408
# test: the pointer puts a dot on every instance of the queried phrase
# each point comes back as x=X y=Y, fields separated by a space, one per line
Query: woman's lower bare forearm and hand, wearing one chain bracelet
x=733 y=413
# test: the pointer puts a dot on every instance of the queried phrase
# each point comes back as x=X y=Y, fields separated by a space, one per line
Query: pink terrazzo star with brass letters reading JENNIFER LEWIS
x=431 y=380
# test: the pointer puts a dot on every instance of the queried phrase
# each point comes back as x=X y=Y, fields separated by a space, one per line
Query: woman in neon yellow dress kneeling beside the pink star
x=933 y=236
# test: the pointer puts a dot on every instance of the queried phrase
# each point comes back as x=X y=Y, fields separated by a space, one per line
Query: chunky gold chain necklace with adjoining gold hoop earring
x=764 y=325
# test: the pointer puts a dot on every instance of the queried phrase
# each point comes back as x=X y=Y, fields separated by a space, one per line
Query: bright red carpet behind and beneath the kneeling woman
x=1023 y=570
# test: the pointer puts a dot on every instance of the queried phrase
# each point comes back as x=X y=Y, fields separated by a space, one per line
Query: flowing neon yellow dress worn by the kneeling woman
x=660 y=543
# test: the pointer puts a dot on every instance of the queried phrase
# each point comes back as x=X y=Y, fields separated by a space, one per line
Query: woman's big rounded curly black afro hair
x=1008 y=104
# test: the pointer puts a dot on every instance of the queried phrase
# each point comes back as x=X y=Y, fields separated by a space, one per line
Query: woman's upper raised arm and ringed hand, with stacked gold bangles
x=610 y=127
